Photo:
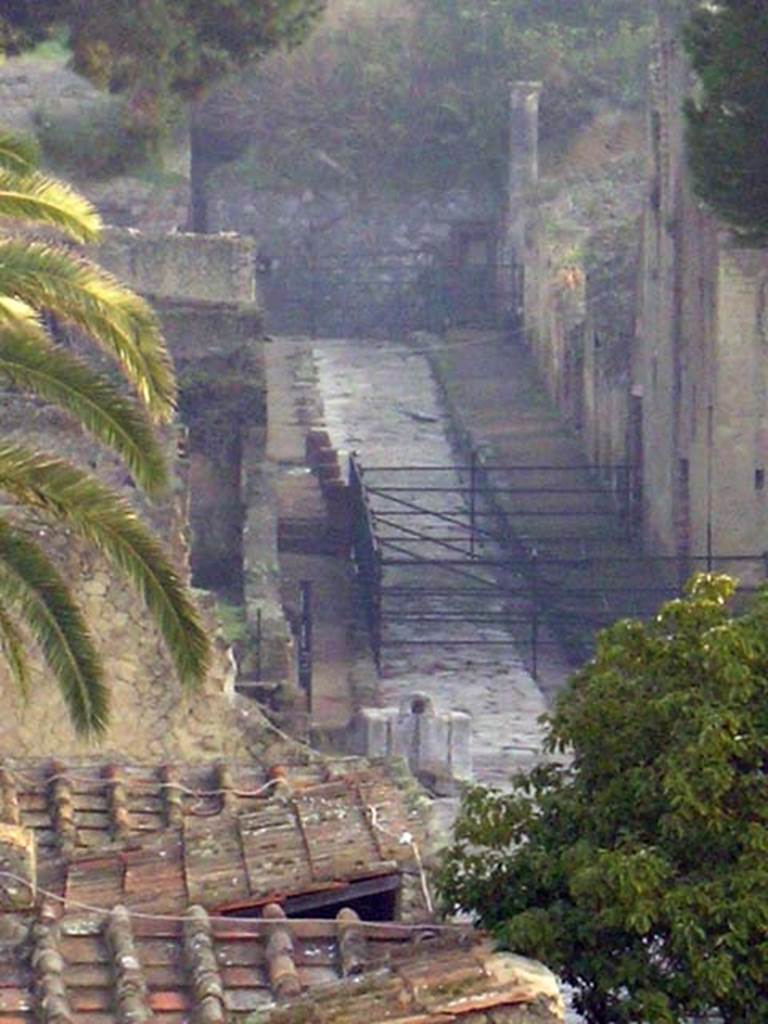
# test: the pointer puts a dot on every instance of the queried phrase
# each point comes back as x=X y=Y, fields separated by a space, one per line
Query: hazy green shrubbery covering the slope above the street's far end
x=415 y=93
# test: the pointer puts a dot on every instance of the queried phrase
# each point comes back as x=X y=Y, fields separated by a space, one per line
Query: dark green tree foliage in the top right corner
x=728 y=122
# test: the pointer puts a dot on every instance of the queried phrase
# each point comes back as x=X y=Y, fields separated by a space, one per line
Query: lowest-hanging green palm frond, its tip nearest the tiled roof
x=32 y=585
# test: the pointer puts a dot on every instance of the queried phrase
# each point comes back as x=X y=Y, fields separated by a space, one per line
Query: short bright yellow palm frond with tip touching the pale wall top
x=35 y=198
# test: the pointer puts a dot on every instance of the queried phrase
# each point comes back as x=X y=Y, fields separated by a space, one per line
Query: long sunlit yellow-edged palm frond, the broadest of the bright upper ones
x=117 y=320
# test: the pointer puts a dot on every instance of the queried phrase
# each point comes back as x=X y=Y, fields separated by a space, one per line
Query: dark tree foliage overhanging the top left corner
x=157 y=50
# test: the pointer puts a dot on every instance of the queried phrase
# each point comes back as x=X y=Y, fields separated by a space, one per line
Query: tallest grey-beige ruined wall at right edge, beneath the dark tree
x=701 y=366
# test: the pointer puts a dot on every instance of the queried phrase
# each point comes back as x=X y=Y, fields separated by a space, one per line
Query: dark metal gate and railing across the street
x=464 y=564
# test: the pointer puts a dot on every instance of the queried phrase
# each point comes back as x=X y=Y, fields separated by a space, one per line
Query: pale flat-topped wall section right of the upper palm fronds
x=195 y=268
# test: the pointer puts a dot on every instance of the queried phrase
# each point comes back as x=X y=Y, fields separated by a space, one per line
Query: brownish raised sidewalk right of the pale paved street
x=499 y=407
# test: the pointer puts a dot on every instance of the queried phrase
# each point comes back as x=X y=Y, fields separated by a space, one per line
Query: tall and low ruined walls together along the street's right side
x=648 y=322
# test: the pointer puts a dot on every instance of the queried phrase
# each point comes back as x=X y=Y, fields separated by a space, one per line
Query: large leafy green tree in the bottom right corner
x=637 y=868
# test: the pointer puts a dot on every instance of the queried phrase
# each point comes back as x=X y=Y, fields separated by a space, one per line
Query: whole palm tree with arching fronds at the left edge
x=44 y=282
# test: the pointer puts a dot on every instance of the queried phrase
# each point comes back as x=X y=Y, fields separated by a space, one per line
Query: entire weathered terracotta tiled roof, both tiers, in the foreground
x=136 y=877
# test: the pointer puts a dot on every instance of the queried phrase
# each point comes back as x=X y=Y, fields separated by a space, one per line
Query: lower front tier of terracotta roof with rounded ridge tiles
x=115 y=969
